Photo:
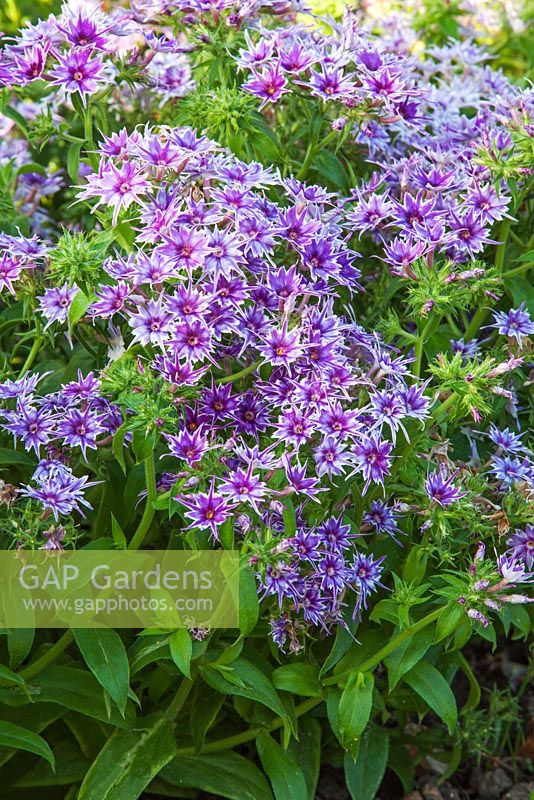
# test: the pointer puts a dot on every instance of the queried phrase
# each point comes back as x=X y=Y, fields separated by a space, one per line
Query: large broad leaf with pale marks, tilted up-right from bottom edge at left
x=130 y=760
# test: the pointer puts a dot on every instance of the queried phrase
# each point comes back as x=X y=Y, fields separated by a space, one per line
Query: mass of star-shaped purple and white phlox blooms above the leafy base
x=216 y=299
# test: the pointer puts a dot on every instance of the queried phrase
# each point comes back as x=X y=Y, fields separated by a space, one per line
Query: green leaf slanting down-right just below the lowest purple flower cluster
x=244 y=680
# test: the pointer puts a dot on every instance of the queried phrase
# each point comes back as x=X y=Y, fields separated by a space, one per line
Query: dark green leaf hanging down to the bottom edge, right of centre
x=364 y=775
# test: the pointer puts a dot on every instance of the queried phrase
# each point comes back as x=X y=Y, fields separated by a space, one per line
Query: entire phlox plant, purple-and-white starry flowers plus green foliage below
x=263 y=281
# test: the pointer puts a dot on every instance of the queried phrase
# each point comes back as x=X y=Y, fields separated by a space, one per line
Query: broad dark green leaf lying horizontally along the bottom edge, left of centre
x=223 y=774
